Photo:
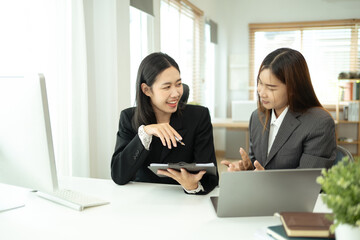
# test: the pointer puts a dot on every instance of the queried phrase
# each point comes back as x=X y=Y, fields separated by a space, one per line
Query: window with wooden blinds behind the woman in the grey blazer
x=329 y=47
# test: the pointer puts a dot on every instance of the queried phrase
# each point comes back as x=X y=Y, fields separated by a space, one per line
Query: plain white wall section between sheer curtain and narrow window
x=108 y=40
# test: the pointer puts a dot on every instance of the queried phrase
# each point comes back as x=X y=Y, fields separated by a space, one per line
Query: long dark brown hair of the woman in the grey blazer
x=290 y=67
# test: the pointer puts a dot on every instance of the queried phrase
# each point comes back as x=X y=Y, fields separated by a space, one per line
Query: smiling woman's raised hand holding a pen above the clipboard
x=165 y=132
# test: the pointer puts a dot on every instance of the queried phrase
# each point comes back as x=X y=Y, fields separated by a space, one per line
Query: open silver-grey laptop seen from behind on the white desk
x=263 y=193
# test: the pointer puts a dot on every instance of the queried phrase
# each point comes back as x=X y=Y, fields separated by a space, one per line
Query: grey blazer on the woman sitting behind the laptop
x=304 y=140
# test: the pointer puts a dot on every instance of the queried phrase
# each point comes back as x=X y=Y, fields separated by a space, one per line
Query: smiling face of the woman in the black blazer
x=165 y=93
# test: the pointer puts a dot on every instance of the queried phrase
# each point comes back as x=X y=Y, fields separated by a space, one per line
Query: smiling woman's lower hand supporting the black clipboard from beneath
x=187 y=180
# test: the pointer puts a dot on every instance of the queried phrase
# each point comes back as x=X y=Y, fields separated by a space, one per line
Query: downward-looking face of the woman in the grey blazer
x=272 y=92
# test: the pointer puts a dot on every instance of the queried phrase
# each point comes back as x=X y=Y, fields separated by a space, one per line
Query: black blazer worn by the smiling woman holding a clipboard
x=130 y=160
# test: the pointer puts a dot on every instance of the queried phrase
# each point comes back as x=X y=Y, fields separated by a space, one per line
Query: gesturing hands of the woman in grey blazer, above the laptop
x=242 y=165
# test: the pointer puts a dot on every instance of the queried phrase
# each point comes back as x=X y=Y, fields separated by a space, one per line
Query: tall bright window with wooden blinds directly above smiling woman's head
x=182 y=27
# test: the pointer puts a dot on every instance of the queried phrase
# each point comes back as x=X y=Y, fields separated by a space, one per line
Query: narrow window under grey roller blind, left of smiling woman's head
x=141 y=42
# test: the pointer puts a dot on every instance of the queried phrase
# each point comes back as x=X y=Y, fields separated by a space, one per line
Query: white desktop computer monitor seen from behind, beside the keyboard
x=26 y=149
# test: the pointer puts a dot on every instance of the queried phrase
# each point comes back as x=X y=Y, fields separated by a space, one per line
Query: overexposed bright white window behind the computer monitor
x=35 y=38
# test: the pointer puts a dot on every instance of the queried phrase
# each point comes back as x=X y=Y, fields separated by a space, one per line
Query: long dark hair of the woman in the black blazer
x=150 y=67
